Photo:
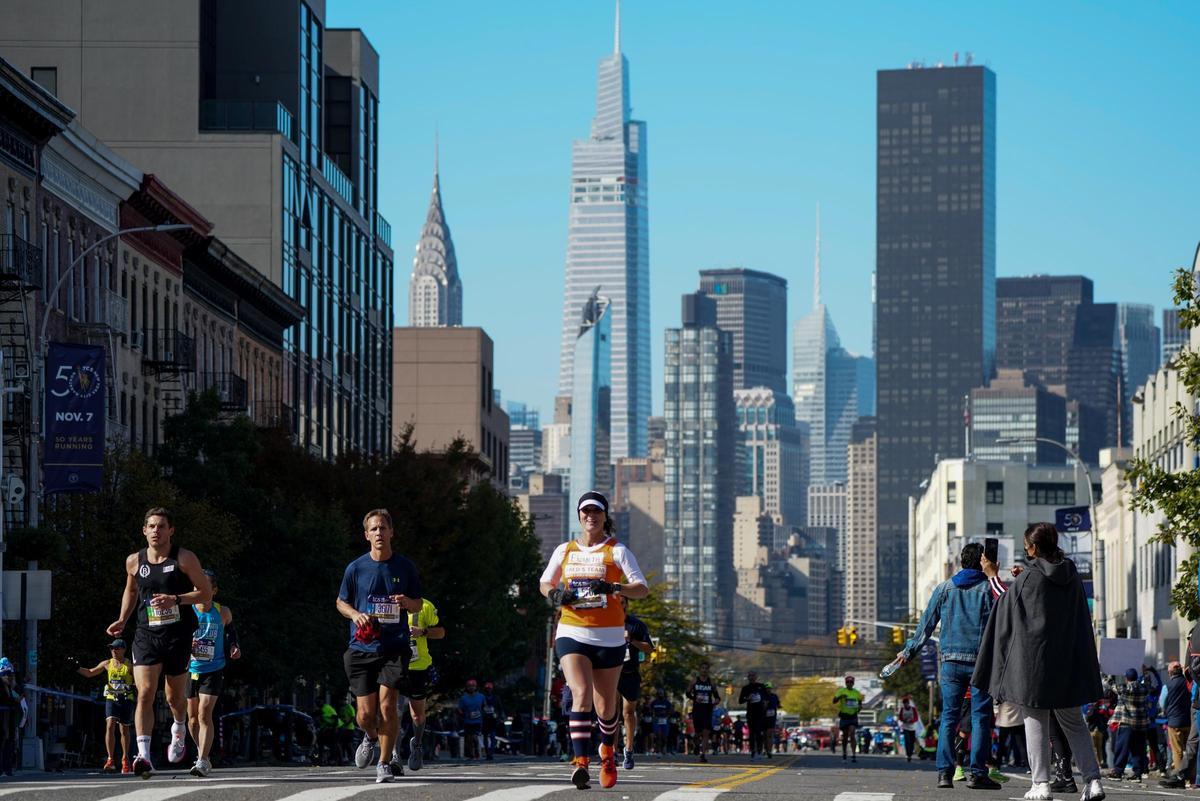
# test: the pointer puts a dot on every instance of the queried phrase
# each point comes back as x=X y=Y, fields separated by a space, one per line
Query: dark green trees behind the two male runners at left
x=280 y=527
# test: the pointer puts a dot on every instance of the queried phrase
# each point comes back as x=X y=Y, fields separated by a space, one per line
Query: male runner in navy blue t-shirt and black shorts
x=379 y=592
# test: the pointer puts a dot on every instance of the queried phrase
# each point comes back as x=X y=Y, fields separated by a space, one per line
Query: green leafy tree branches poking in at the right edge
x=1177 y=496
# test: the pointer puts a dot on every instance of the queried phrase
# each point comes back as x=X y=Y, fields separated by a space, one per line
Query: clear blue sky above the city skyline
x=758 y=111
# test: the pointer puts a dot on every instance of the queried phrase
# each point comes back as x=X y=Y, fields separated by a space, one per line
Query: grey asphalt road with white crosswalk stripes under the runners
x=803 y=778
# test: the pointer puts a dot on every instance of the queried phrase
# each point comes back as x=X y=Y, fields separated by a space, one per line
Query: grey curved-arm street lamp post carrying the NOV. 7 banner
x=35 y=472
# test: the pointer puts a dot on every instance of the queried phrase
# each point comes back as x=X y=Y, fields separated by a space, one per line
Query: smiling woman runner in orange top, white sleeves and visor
x=586 y=580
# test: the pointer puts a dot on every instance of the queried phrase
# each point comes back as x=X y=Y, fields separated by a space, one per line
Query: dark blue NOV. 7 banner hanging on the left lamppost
x=75 y=419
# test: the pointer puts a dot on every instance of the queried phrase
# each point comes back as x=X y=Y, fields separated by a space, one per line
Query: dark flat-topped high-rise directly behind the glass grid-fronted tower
x=753 y=308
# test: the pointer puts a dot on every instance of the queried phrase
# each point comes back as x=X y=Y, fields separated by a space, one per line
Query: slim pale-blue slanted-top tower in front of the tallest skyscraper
x=591 y=402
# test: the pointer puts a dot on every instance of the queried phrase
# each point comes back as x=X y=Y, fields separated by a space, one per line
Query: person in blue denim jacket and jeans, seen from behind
x=963 y=606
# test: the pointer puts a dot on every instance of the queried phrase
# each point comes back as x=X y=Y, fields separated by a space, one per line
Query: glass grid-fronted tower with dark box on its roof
x=698 y=538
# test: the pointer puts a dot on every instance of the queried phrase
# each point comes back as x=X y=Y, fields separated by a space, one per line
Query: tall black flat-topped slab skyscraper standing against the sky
x=937 y=285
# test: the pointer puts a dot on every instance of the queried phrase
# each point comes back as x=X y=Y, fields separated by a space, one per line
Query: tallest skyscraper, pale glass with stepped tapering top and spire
x=608 y=246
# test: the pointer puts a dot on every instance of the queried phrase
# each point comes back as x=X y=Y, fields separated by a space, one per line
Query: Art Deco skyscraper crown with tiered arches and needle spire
x=435 y=291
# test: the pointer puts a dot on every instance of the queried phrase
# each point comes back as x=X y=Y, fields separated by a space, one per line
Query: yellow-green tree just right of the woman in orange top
x=677 y=637
